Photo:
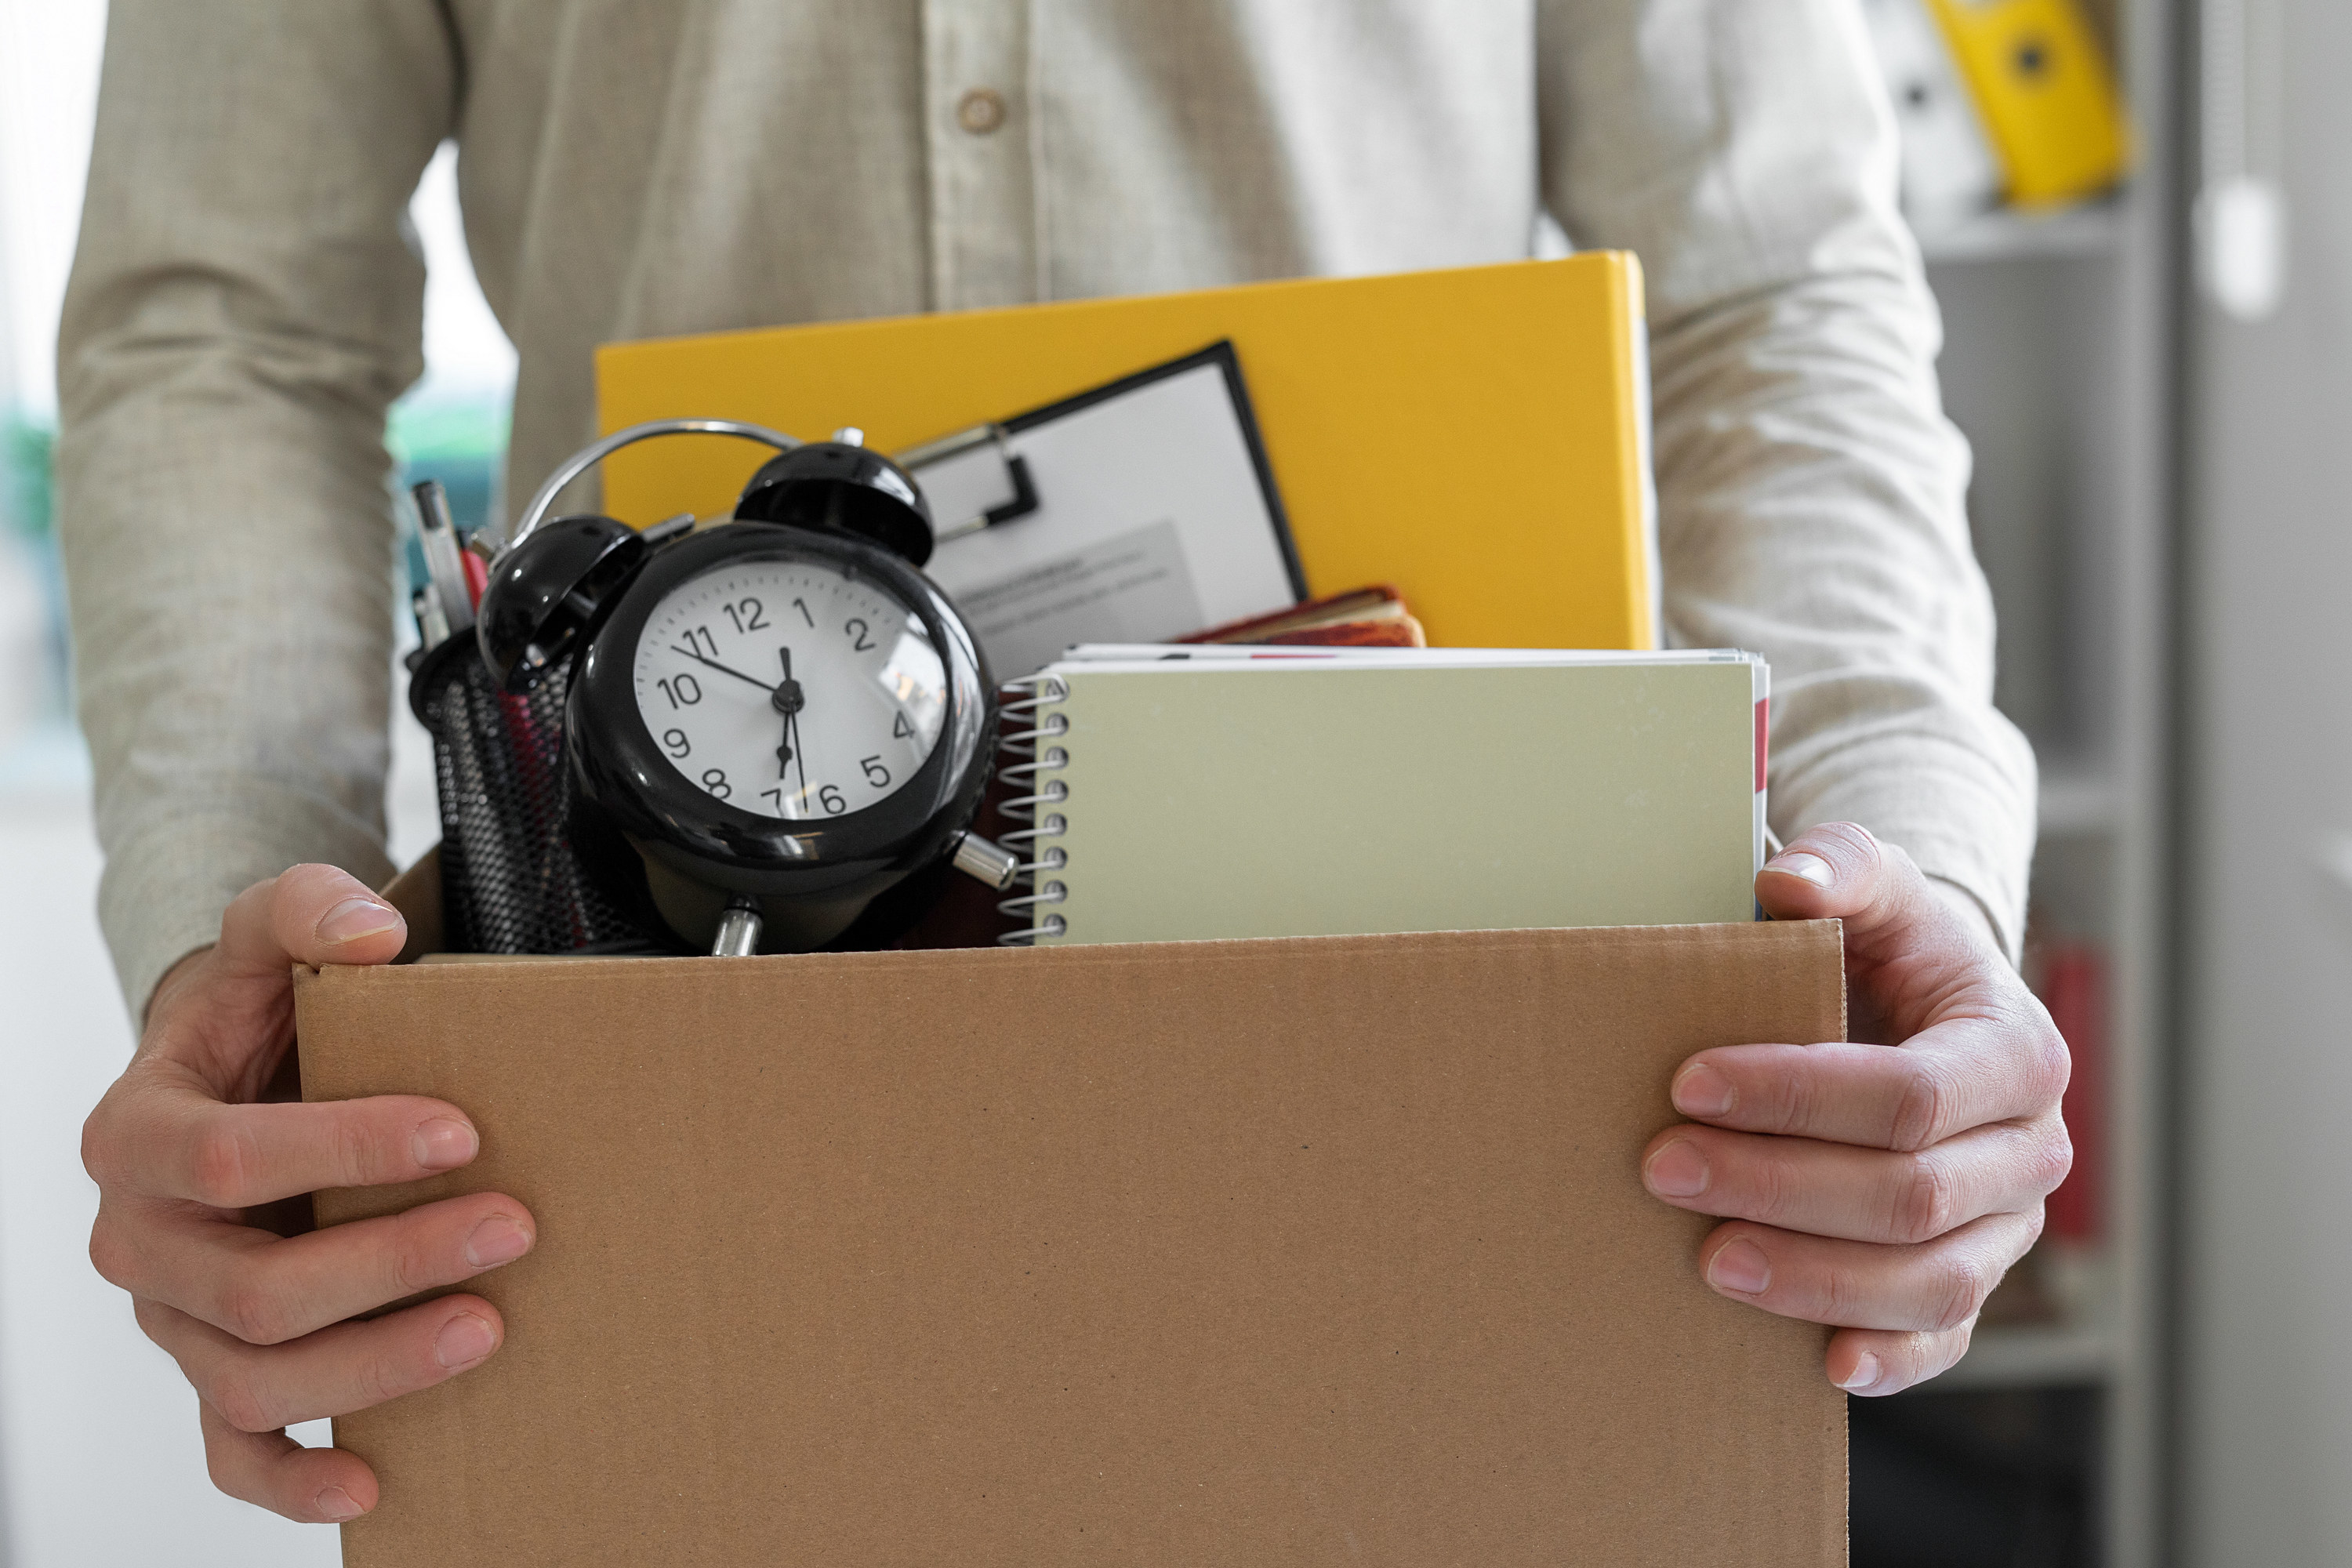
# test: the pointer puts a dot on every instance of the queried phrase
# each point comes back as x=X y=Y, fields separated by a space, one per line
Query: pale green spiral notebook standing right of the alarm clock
x=1245 y=791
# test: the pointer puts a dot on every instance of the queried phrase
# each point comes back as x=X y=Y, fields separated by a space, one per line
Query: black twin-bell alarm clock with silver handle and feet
x=777 y=728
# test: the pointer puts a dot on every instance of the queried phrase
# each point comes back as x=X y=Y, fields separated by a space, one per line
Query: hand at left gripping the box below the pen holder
x=185 y=1153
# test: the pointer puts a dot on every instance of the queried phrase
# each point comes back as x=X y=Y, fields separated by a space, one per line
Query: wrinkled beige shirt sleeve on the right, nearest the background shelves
x=1812 y=495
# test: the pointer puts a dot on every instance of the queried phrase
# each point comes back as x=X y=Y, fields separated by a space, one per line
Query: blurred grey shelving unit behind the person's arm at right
x=2059 y=368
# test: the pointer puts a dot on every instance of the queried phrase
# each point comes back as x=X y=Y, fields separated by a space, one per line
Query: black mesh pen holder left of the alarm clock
x=512 y=880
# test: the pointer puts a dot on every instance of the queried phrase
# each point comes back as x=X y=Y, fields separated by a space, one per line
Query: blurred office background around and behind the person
x=2151 y=361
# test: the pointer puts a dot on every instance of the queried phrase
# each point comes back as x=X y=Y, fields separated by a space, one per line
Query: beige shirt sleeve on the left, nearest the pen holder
x=243 y=307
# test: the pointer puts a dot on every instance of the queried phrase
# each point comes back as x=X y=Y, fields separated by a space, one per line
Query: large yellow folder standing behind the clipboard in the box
x=1476 y=436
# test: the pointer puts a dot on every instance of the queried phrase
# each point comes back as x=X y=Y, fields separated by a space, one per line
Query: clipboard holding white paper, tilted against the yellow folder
x=1154 y=518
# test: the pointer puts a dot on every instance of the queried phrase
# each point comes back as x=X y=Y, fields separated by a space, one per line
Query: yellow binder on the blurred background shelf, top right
x=2045 y=95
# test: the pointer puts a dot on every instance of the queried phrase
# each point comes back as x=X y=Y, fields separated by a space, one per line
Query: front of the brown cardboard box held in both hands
x=1276 y=1252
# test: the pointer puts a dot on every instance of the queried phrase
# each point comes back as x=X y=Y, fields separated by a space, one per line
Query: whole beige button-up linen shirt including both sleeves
x=248 y=302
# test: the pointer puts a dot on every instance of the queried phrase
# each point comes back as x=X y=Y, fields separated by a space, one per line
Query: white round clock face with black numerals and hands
x=791 y=690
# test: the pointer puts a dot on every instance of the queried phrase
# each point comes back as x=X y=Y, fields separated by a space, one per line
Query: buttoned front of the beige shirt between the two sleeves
x=643 y=168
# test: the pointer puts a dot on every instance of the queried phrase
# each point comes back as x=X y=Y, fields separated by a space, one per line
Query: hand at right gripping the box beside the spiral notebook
x=1878 y=1188
